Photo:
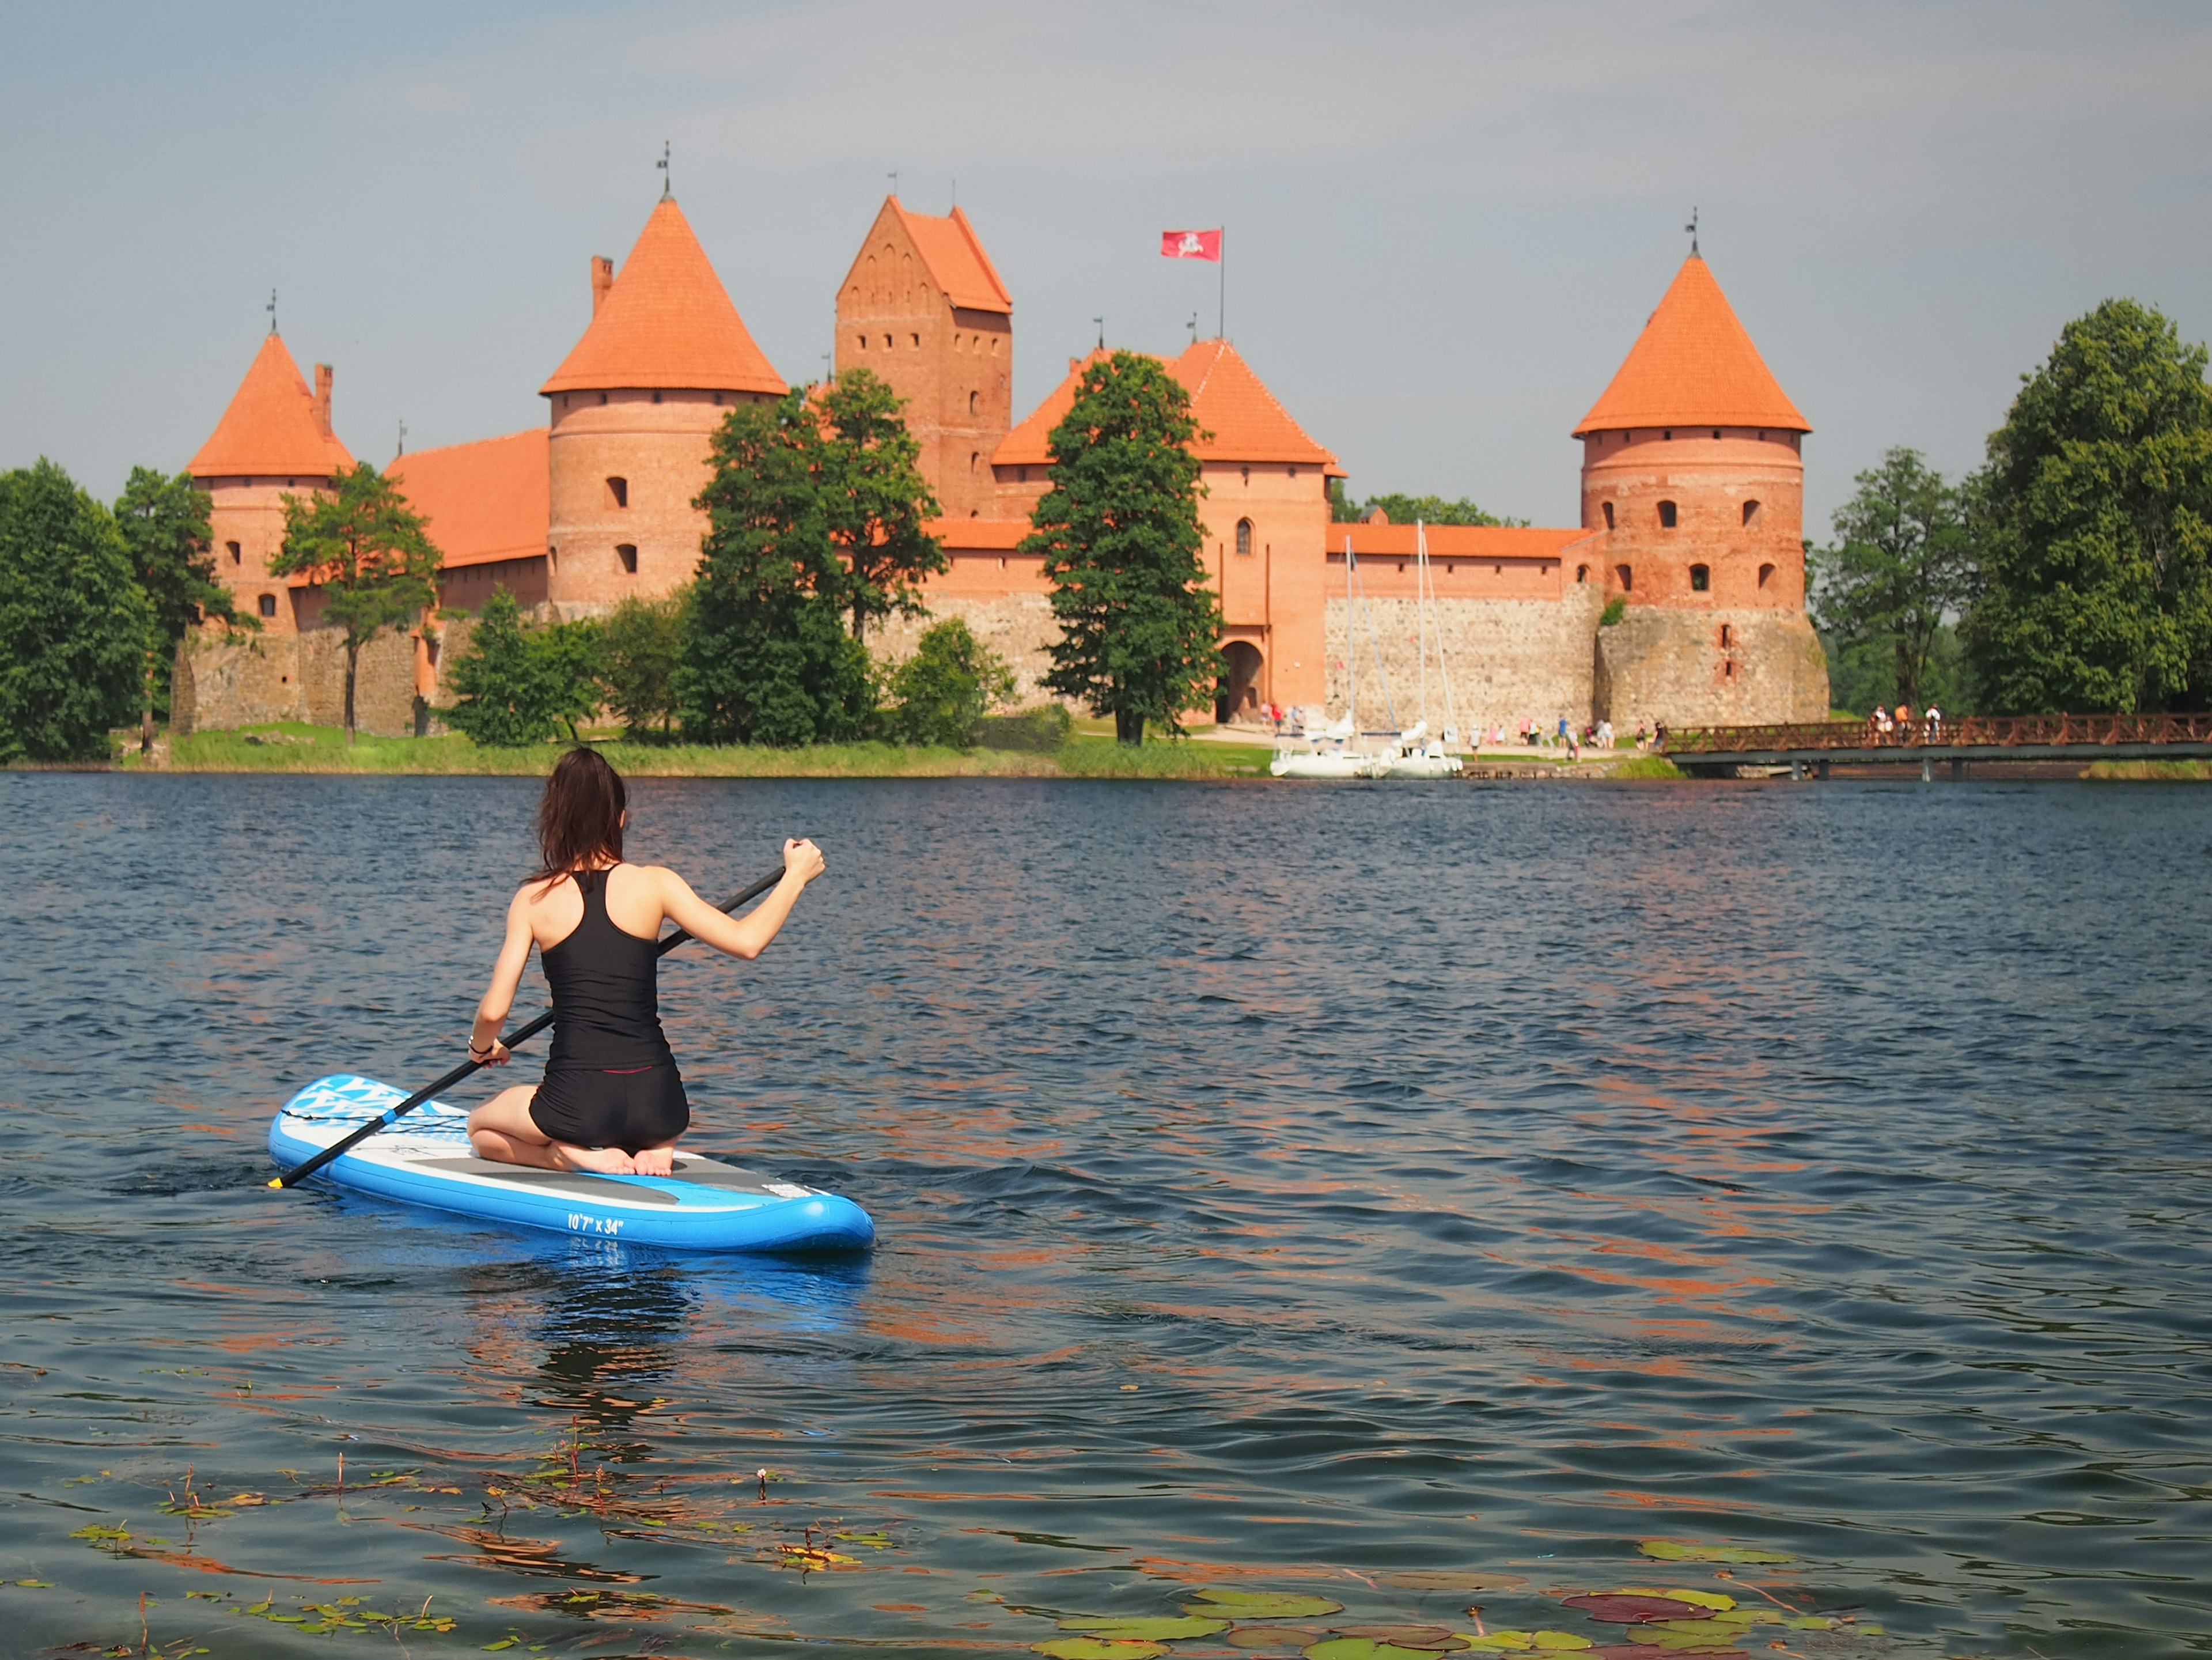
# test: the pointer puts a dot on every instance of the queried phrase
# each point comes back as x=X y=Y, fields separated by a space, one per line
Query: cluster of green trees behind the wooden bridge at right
x=2072 y=572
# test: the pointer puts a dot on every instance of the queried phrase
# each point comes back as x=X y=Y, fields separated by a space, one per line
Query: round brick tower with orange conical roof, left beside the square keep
x=634 y=408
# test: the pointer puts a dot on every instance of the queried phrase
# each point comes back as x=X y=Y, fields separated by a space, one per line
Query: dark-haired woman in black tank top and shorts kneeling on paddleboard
x=612 y=1099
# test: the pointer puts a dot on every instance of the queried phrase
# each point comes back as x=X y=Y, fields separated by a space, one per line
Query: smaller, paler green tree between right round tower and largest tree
x=1899 y=570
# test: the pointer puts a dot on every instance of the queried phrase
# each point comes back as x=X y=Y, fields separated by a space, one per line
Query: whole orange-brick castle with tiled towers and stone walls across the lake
x=1691 y=504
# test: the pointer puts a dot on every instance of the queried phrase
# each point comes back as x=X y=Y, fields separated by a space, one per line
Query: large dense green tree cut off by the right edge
x=2094 y=526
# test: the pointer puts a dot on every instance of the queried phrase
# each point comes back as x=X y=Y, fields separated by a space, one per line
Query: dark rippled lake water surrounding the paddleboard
x=1280 y=1190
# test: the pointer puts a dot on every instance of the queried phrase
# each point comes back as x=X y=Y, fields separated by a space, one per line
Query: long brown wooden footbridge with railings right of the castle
x=1981 y=738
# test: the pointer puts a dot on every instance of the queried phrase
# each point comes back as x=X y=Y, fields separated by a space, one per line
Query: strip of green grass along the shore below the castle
x=291 y=747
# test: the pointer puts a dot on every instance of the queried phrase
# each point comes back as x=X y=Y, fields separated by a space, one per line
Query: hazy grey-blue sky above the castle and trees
x=1446 y=222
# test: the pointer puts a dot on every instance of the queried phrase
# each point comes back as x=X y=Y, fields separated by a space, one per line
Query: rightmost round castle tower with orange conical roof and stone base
x=1693 y=479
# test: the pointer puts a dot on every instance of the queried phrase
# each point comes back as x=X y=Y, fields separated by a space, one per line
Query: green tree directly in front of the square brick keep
x=875 y=499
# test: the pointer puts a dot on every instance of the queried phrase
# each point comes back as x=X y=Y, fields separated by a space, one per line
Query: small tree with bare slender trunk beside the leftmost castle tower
x=366 y=550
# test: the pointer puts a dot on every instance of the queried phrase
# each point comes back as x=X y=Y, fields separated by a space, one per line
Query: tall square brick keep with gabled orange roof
x=926 y=311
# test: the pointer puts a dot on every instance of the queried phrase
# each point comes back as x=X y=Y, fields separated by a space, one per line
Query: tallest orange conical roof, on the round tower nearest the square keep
x=667 y=324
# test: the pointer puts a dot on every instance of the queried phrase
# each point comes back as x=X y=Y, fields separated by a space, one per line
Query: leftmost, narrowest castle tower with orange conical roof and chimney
x=271 y=444
